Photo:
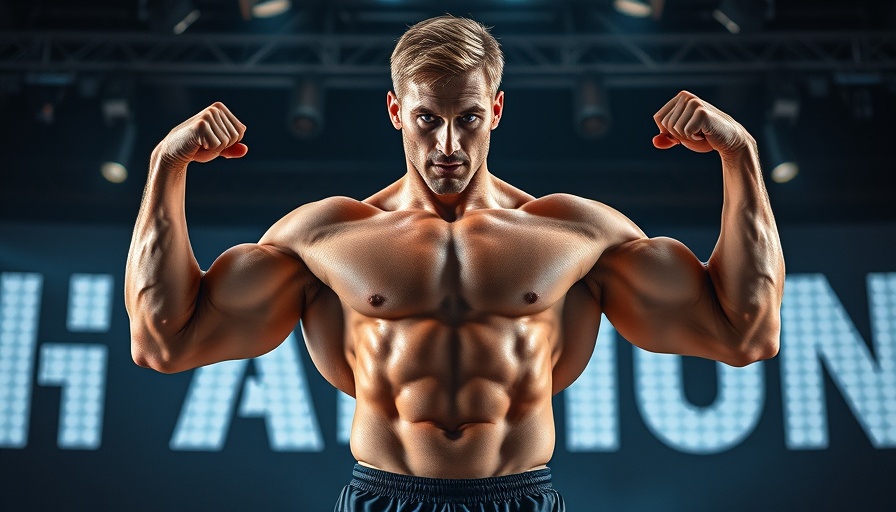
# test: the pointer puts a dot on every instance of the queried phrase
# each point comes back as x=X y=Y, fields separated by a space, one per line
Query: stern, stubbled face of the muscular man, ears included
x=446 y=128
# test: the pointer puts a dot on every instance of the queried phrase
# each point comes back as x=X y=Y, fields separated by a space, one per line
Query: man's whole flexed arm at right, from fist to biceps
x=663 y=299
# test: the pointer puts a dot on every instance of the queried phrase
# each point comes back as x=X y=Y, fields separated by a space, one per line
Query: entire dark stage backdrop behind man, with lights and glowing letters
x=88 y=88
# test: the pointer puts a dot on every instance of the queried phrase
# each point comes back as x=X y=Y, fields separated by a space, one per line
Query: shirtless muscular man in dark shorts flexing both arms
x=451 y=304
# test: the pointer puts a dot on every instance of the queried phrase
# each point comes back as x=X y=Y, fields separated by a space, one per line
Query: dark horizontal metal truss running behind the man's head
x=350 y=60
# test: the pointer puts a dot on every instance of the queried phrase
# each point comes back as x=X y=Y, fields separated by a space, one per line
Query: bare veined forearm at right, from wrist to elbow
x=747 y=265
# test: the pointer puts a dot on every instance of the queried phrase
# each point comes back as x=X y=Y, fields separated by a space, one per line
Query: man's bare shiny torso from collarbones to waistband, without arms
x=475 y=328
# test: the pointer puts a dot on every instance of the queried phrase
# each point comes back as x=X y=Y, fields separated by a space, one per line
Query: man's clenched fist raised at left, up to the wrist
x=213 y=132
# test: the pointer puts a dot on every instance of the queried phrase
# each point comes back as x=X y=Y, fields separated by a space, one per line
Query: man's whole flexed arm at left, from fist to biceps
x=181 y=317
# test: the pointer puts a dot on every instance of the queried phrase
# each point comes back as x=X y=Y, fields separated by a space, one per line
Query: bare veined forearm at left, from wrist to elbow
x=162 y=276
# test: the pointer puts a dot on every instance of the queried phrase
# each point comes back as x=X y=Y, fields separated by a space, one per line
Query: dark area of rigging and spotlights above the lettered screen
x=84 y=81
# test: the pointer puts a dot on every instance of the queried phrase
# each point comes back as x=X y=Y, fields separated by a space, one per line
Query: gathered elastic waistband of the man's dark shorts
x=451 y=490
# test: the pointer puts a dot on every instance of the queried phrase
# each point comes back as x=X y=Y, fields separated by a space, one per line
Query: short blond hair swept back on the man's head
x=437 y=49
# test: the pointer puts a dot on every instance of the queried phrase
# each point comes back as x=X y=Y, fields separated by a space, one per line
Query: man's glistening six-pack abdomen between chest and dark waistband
x=453 y=401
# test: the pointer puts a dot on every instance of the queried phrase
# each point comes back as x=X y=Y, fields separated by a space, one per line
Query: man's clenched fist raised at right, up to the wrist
x=699 y=126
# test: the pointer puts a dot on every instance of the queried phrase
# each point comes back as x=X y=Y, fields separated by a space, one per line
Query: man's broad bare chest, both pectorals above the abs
x=506 y=263
